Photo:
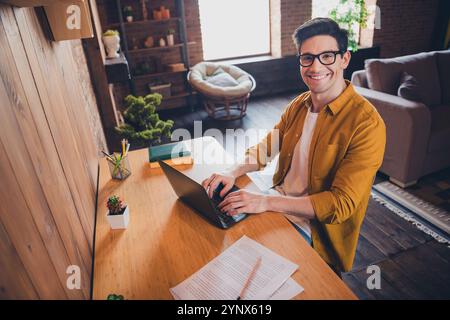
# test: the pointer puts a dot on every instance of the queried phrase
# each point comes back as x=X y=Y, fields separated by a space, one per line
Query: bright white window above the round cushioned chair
x=234 y=28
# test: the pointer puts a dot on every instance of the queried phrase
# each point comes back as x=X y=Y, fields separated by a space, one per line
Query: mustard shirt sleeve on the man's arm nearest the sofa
x=354 y=175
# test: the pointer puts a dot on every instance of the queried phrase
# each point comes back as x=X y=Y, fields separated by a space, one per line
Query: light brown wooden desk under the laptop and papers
x=166 y=241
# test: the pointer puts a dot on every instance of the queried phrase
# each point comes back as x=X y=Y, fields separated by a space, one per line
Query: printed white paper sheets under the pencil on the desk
x=224 y=277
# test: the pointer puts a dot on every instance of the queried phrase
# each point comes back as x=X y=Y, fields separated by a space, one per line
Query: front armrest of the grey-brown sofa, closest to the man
x=408 y=127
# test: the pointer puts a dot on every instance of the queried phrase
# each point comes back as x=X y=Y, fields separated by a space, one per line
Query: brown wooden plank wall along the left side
x=48 y=164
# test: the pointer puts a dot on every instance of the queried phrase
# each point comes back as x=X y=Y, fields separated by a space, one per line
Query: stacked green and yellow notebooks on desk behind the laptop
x=175 y=153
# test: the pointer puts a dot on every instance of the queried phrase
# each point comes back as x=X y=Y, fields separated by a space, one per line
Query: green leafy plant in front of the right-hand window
x=349 y=14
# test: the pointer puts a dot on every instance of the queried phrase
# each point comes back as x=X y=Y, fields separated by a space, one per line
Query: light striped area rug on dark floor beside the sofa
x=426 y=216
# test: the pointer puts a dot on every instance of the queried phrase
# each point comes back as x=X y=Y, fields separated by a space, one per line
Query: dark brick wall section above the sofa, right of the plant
x=406 y=26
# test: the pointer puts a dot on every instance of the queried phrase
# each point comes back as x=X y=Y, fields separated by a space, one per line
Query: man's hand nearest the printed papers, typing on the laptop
x=244 y=201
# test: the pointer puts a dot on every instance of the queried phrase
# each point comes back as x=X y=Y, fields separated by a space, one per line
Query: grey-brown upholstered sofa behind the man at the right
x=418 y=128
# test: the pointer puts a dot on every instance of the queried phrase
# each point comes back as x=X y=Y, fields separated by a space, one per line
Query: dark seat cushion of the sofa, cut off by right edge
x=440 y=128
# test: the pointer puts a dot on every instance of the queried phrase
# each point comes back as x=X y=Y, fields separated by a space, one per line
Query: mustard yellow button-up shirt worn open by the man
x=346 y=151
